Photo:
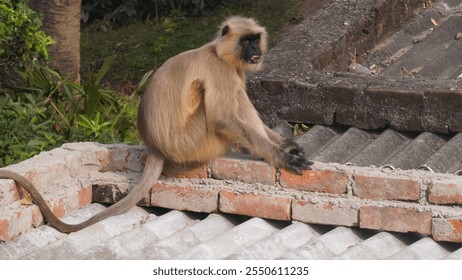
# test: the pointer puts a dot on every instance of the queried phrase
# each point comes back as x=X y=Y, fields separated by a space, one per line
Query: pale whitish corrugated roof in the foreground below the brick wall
x=138 y=234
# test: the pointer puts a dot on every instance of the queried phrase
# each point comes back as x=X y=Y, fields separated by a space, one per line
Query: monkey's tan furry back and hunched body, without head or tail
x=184 y=87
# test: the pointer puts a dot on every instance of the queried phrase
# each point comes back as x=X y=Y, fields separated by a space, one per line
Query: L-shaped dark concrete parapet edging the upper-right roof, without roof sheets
x=304 y=79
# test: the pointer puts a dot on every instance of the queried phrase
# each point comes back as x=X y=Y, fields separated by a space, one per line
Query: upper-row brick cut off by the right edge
x=446 y=193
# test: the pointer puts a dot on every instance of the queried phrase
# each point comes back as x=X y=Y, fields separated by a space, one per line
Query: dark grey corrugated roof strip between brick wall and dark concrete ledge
x=441 y=153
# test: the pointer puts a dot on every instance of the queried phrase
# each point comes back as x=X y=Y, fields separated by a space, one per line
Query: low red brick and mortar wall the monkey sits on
x=334 y=194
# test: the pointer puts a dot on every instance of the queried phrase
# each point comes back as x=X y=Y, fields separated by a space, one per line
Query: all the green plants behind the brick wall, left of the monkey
x=45 y=110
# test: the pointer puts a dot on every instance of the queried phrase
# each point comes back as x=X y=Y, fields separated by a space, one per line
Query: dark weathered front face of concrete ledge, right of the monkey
x=405 y=105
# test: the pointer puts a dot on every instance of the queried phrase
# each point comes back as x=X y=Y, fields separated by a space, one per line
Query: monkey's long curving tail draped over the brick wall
x=152 y=170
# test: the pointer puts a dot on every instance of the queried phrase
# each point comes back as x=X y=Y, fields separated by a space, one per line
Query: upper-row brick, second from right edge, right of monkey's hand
x=386 y=187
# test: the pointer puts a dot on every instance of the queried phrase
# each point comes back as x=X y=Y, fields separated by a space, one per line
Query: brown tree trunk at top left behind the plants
x=61 y=20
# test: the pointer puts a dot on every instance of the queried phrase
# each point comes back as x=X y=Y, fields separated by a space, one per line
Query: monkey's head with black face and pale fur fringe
x=242 y=42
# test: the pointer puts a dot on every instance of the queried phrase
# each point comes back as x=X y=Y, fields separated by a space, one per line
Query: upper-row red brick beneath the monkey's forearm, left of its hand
x=247 y=171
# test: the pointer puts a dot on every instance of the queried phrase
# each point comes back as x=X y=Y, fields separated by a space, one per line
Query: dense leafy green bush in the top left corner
x=21 y=40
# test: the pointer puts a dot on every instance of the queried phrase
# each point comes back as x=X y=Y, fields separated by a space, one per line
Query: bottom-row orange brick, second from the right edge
x=395 y=219
